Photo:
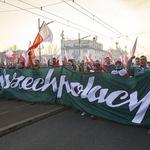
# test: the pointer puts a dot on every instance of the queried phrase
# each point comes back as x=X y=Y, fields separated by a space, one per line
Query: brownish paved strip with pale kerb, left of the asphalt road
x=16 y=114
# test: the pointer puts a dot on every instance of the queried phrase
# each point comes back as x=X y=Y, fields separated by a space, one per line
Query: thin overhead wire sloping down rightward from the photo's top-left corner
x=45 y=17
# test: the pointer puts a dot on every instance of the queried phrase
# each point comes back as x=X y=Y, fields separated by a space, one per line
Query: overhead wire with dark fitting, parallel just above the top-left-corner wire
x=41 y=8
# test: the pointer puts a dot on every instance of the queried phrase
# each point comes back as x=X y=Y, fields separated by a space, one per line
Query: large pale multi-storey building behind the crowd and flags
x=77 y=49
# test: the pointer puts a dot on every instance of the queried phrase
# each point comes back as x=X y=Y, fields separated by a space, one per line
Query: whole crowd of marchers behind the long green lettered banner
x=134 y=67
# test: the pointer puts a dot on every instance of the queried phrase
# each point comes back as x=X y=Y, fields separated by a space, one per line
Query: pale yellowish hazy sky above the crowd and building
x=111 y=20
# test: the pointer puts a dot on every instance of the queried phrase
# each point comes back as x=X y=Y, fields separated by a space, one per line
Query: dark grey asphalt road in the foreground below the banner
x=71 y=131
